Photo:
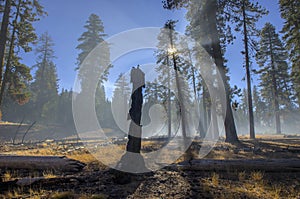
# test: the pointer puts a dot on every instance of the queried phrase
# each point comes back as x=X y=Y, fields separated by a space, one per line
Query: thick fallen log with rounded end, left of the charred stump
x=41 y=163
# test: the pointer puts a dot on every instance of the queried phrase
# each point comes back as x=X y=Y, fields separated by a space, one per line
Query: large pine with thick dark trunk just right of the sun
x=206 y=27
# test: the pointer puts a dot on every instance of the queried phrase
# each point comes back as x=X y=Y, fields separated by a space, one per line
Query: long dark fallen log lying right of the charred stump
x=267 y=165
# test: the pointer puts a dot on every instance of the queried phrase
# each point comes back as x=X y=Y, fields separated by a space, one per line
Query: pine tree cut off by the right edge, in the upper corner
x=290 y=11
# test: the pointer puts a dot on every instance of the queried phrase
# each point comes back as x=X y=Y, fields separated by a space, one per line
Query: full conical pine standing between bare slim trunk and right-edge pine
x=272 y=60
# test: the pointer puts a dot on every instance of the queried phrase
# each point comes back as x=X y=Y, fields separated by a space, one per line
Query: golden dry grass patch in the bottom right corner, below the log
x=253 y=185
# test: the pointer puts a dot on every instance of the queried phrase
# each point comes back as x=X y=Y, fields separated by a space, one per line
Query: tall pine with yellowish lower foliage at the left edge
x=18 y=17
